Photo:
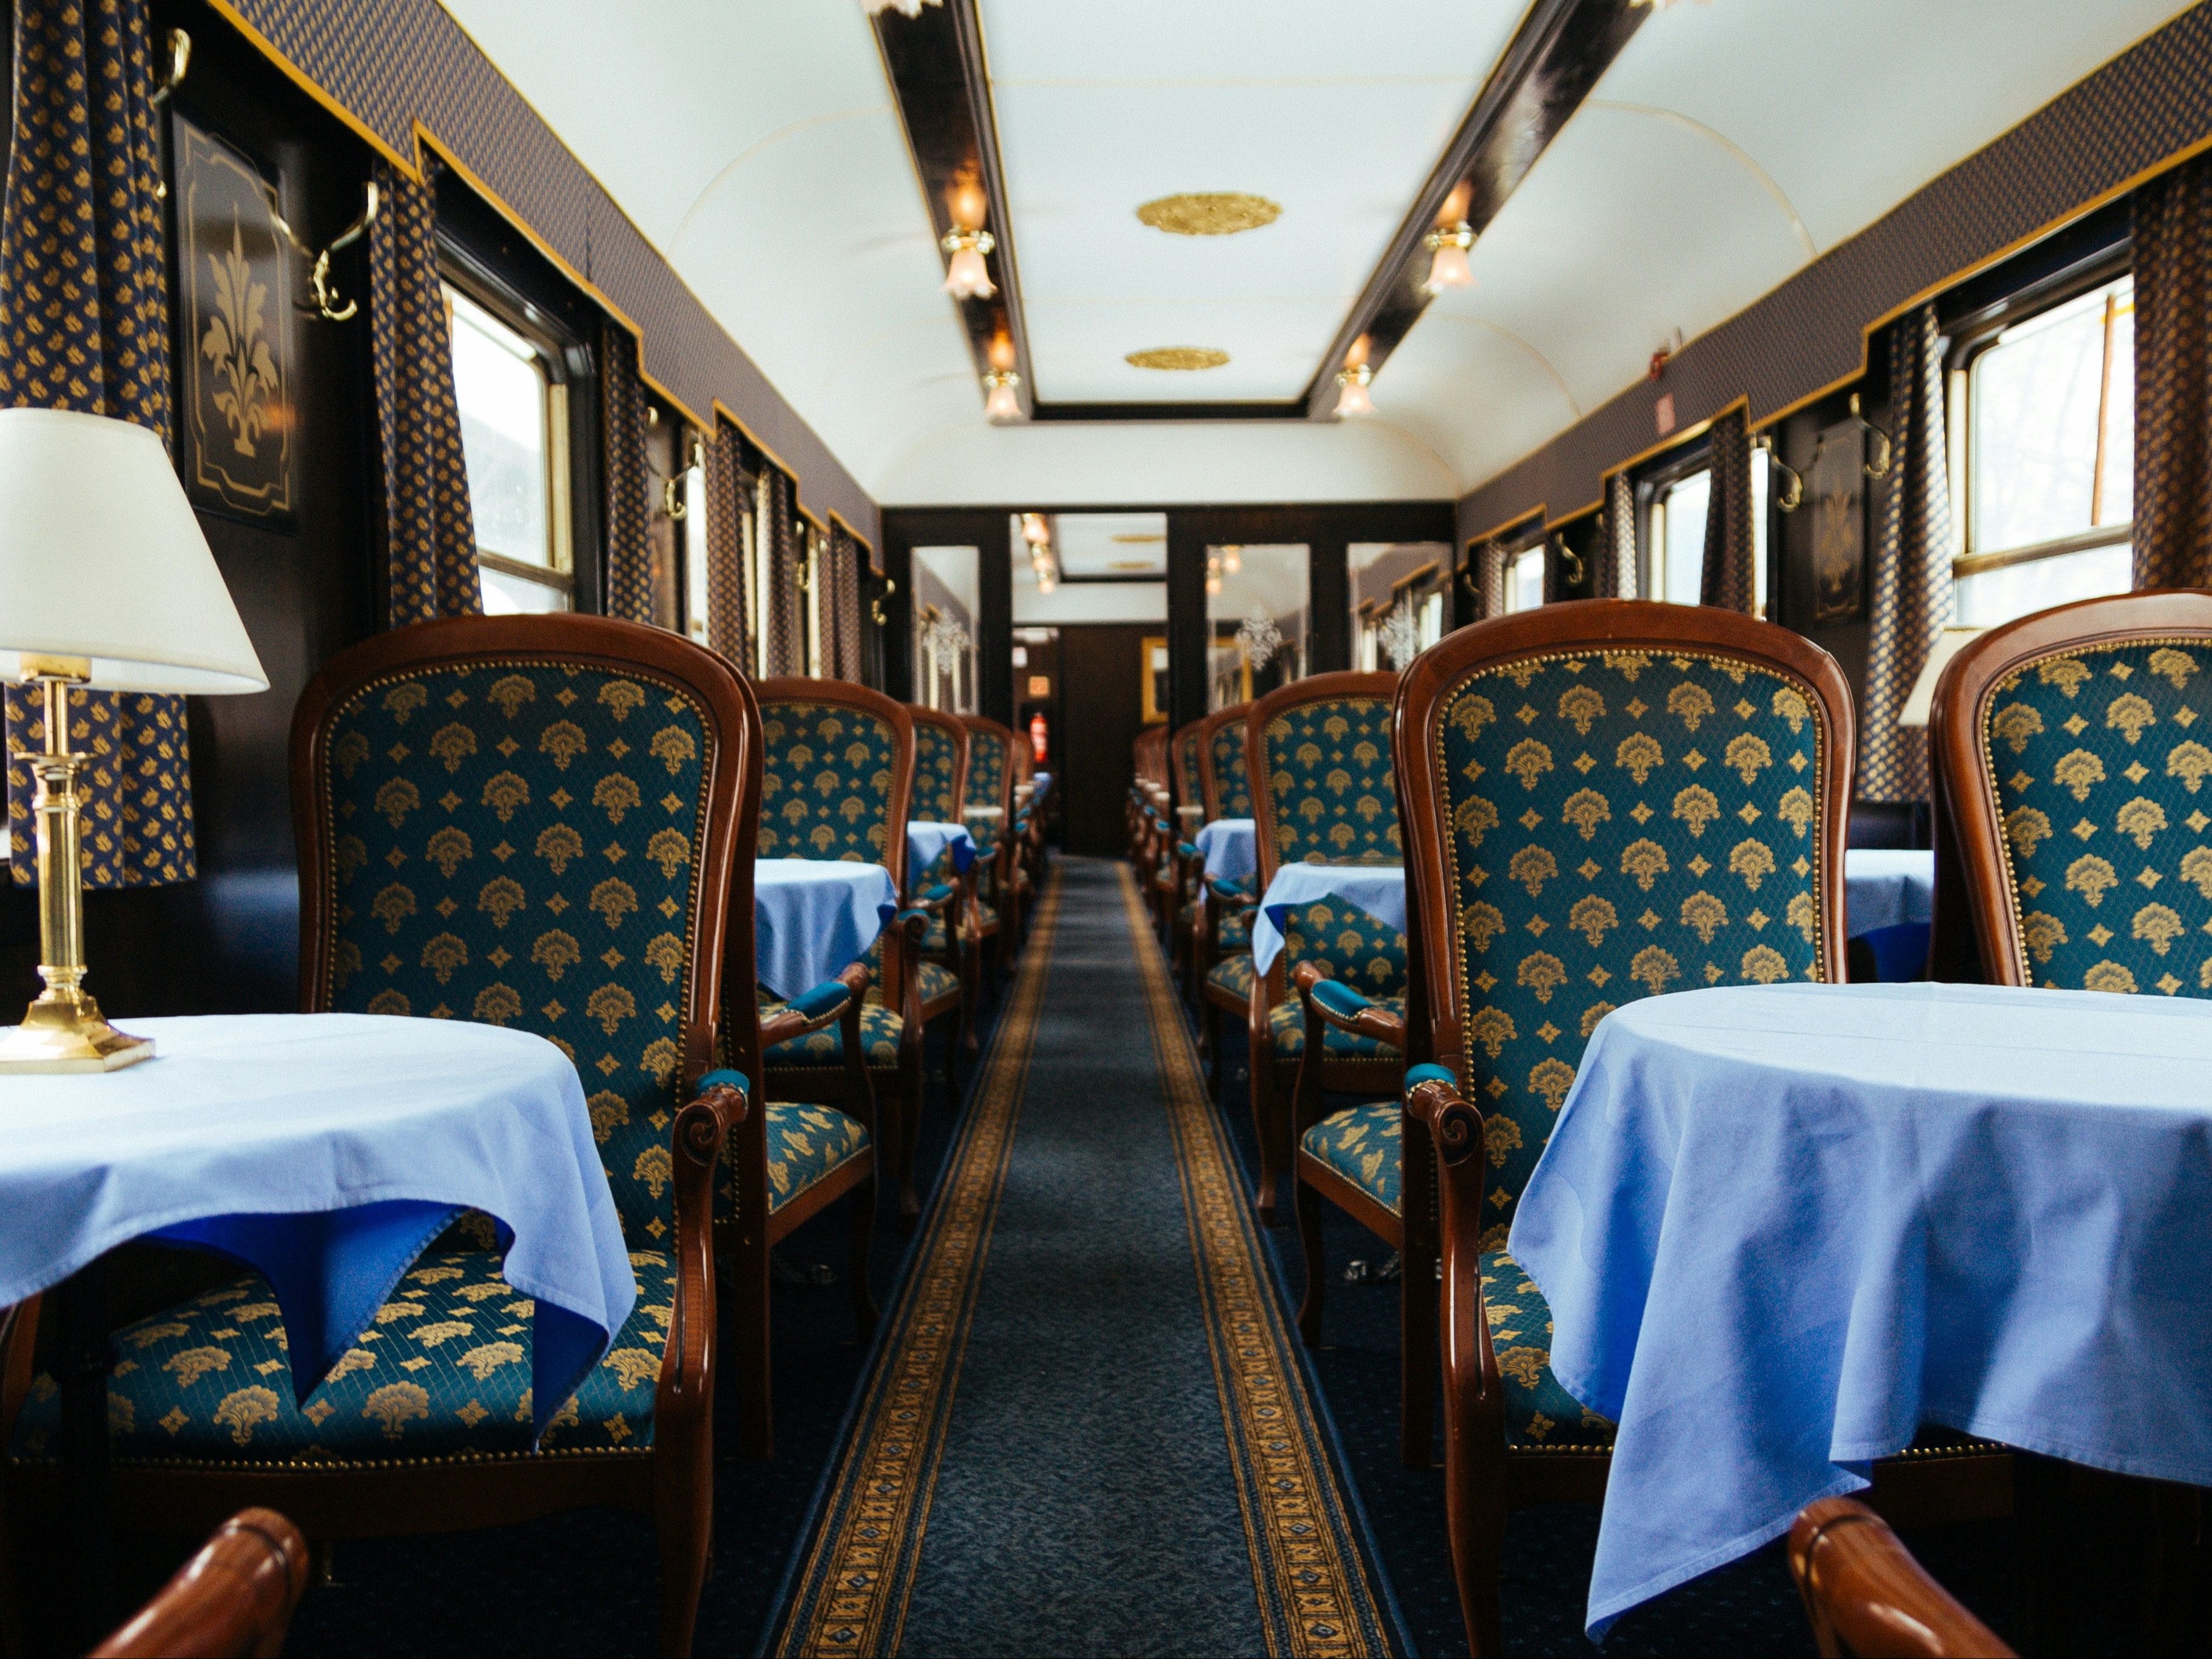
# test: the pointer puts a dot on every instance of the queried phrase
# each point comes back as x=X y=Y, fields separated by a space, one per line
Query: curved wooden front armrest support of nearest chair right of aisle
x=1474 y=1390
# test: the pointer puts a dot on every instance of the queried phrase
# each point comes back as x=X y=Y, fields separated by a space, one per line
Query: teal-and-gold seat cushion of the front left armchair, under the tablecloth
x=444 y=1370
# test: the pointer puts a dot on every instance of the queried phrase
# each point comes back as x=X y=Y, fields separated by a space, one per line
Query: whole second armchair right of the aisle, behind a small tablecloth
x=1319 y=758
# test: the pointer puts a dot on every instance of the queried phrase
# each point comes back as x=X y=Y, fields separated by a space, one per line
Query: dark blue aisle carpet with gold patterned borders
x=1087 y=1430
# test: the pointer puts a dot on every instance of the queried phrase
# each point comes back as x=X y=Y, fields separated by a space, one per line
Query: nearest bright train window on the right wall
x=2047 y=450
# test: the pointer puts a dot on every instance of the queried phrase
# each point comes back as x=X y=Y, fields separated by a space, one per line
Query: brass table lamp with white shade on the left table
x=109 y=585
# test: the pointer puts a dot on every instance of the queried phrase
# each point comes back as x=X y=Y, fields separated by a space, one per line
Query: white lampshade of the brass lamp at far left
x=101 y=559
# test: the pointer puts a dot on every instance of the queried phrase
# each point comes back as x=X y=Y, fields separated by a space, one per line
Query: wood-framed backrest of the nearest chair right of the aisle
x=1609 y=800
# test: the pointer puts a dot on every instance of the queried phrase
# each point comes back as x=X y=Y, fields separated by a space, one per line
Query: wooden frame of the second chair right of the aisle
x=1275 y=1081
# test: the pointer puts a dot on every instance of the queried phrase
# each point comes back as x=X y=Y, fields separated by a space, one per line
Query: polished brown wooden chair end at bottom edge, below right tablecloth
x=1868 y=1596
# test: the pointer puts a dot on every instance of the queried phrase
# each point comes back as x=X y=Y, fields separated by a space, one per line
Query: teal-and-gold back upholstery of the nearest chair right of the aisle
x=1618 y=826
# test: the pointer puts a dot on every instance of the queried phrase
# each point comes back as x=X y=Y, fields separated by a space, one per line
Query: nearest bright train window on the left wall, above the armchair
x=514 y=439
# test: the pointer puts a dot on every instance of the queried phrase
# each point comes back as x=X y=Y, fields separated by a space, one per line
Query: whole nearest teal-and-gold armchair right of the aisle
x=1605 y=800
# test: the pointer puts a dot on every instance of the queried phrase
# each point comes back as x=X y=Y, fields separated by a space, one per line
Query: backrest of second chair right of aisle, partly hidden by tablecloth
x=1324 y=793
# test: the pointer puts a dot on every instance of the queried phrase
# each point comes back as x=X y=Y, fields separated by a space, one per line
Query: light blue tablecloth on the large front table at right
x=1784 y=1227
